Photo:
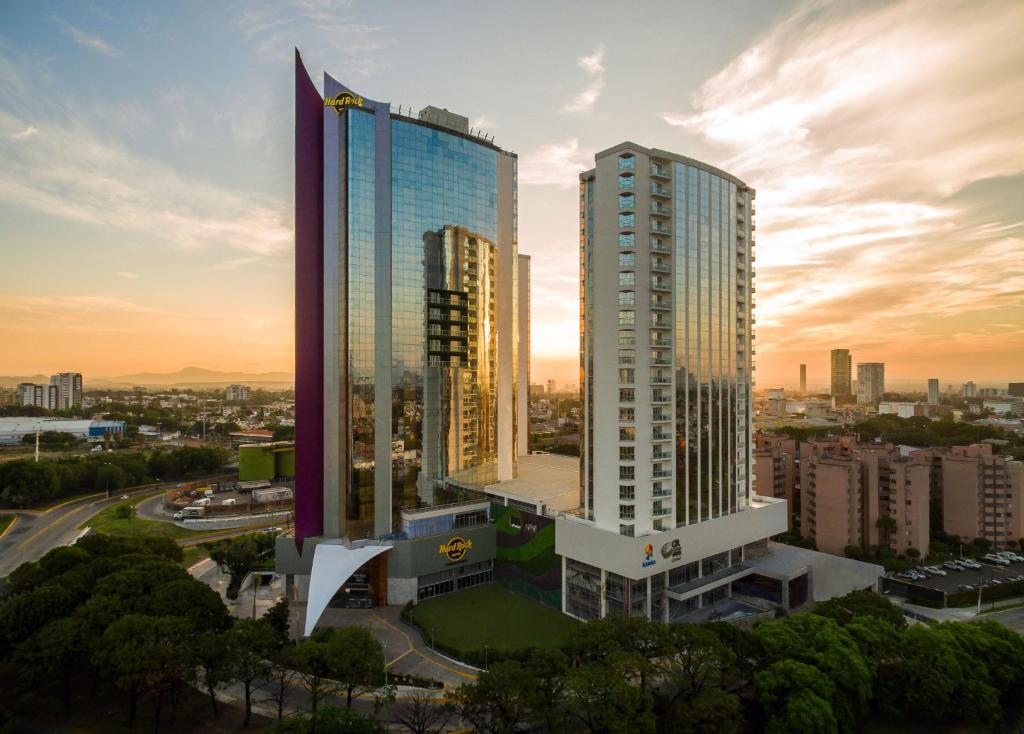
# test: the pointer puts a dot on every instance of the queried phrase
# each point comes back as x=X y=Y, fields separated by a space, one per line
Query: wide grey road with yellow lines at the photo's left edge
x=36 y=533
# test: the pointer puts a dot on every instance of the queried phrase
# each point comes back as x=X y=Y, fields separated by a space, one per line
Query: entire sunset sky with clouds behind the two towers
x=146 y=171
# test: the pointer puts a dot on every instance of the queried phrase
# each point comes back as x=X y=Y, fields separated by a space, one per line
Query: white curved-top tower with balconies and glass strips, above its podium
x=666 y=343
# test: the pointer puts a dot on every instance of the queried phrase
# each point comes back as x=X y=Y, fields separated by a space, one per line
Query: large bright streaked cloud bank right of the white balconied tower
x=859 y=126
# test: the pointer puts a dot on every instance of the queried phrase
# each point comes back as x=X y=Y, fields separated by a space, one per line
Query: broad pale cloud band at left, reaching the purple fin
x=70 y=170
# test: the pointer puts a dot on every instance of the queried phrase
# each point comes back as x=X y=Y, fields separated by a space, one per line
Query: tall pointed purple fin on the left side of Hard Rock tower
x=309 y=308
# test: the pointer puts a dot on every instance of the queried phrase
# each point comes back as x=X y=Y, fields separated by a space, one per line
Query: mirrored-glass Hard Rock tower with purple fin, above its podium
x=408 y=326
